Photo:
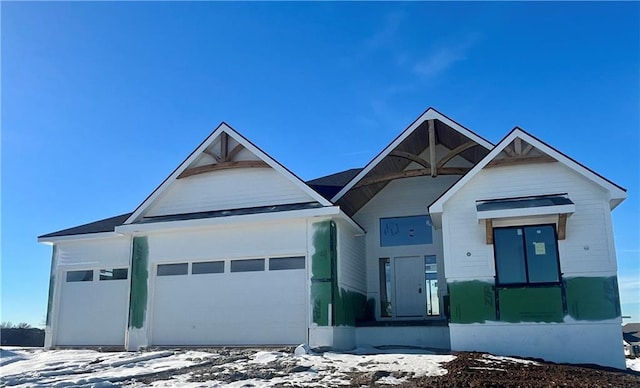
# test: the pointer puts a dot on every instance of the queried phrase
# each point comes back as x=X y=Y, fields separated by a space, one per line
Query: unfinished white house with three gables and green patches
x=443 y=240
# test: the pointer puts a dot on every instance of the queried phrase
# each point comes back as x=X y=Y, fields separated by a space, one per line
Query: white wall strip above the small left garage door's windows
x=98 y=253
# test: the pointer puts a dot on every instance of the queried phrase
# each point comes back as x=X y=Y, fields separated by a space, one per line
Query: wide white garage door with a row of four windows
x=231 y=302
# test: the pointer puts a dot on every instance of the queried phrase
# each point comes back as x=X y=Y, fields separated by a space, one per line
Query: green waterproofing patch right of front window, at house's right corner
x=593 y=298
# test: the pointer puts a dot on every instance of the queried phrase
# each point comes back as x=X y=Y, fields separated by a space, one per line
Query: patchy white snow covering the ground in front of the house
x=27 y=367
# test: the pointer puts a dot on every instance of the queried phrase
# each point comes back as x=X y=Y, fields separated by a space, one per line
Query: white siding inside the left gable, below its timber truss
x=227 y=189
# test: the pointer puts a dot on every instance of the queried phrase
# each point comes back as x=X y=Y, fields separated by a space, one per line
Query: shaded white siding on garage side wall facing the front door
x=351 y=259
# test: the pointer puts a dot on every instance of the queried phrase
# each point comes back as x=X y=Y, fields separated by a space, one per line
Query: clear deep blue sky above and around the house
x=101 y=101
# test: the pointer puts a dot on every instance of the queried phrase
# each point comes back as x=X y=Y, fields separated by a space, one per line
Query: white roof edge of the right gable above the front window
x=618 y=193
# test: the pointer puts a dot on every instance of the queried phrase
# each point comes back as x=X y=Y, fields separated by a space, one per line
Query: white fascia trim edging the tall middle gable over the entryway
x=429 y=114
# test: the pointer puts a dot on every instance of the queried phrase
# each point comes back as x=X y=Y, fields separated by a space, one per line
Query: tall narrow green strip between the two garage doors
x=139 y=279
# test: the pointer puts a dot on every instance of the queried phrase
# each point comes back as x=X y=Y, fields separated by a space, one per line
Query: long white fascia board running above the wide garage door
x=239 y=219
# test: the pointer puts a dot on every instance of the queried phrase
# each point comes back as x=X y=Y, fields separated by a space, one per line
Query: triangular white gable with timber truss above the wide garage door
x=226 y=172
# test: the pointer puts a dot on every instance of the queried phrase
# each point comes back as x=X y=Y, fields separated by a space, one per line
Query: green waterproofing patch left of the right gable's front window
x=472 y=301
